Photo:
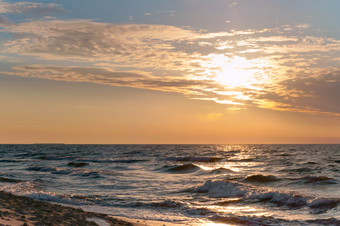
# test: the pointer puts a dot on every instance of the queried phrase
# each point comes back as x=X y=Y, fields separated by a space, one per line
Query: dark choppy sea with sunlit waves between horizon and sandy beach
x=184 y=184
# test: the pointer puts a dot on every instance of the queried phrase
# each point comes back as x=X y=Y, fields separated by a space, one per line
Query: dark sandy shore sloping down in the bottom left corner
x=18 y=210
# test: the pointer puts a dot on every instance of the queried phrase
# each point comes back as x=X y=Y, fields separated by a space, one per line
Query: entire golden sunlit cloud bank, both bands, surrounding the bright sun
x=279 y=68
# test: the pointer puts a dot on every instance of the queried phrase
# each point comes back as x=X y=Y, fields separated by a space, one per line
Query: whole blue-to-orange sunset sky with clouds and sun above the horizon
x=170 y=71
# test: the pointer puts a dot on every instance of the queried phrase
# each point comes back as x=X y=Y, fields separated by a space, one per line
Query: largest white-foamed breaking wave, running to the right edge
x=231 y=189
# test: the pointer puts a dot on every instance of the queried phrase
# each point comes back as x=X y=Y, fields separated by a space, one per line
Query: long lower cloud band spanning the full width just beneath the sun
x=318 y=95
